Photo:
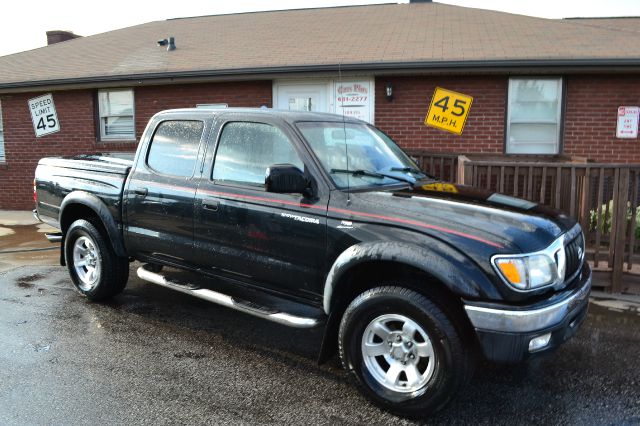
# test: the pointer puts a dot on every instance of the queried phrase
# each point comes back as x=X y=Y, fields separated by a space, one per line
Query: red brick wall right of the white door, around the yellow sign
x=589 y=122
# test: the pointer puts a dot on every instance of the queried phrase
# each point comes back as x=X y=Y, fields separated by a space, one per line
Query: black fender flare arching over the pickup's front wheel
x=449 y=266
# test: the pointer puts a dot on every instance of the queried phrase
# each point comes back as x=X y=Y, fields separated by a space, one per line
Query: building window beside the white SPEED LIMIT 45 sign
x=116 y=114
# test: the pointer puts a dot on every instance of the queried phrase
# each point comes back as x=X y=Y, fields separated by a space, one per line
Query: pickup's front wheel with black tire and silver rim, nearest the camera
x=395 y=325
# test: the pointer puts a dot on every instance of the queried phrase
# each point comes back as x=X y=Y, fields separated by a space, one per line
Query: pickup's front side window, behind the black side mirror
x=246 y=150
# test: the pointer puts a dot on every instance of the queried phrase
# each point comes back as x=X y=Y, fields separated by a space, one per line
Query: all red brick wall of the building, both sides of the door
x=589 y=122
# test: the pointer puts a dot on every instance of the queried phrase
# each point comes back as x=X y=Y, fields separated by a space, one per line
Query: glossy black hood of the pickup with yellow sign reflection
x=508 y=224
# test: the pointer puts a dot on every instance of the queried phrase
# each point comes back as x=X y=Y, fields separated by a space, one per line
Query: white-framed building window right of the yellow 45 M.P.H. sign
x=534 y=116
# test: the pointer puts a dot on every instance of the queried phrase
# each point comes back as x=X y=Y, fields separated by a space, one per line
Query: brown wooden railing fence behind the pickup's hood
x=602 y=197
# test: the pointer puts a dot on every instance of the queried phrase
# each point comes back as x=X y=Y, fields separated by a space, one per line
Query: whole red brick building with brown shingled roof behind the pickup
x=539 y=86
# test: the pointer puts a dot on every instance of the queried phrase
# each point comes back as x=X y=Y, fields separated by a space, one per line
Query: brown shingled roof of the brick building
x=375 y=37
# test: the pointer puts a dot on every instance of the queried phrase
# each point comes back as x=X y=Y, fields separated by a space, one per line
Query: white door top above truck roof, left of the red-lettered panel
x=302 y=96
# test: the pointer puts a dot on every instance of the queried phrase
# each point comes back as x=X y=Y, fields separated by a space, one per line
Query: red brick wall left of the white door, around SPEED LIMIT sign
x=77 y=134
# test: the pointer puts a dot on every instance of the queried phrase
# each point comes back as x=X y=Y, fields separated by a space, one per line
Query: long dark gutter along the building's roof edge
x=526 y=66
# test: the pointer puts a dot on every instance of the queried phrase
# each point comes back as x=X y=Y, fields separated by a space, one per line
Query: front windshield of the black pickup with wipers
x=374 y=159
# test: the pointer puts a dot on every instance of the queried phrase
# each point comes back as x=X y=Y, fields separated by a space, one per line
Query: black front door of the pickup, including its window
x=272 y=240
